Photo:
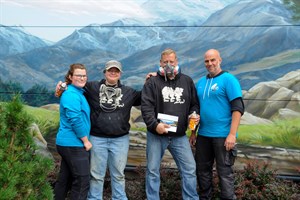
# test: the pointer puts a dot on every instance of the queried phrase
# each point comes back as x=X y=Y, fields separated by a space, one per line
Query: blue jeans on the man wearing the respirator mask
x=181 y=151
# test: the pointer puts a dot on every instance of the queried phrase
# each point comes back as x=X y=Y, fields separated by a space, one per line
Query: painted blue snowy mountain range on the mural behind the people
x=244 y=32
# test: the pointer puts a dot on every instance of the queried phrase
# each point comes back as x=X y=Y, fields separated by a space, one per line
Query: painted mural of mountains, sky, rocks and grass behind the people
x=259 y=42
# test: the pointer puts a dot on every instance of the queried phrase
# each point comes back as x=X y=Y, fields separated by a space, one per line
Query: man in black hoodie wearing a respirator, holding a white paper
x=168 y=100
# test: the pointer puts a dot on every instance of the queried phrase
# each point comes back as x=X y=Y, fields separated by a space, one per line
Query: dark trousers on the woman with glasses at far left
x=74 y=172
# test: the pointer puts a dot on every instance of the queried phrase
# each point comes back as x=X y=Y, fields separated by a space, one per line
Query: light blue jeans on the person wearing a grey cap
x=111 y=152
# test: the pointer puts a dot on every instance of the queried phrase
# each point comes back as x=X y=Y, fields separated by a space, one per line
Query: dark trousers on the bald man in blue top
x=207 y=150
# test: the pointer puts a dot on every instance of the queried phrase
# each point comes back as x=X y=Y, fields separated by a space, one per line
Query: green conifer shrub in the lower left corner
x=23 y=173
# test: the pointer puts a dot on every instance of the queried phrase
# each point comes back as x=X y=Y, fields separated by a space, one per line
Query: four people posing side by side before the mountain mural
x=217 y=98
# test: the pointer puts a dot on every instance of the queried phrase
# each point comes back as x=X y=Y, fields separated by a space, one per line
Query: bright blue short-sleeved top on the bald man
x=215 y=95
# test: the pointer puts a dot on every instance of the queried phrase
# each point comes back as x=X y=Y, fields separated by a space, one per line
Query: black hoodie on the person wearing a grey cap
x=110 y=108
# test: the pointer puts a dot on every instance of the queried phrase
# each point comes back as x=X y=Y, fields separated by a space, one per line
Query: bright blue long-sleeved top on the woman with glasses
x=74 y=118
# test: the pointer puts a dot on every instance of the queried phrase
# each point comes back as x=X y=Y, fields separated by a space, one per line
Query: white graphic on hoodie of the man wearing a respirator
x=171 y=95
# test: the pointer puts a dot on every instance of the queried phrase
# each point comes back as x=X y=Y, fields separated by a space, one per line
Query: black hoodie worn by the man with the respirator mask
x=176 y=97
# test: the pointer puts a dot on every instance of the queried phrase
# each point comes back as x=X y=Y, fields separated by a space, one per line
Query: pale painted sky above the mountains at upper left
x=55 y=19
